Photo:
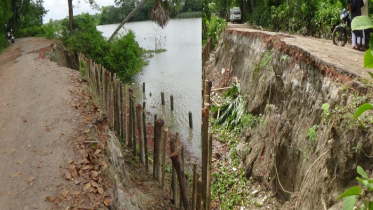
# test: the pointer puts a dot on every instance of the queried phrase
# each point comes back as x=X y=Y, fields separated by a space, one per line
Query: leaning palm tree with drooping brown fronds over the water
x=158 y=13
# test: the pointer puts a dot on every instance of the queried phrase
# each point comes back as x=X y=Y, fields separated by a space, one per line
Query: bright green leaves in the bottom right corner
x=355 y=192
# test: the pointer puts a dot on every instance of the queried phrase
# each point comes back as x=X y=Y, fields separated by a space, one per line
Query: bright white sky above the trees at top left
x=58 y=9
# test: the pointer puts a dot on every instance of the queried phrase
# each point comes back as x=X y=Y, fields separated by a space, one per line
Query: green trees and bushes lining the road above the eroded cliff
x=308 y=17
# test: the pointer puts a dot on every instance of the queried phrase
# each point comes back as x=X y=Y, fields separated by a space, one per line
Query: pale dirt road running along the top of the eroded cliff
x=342 y=57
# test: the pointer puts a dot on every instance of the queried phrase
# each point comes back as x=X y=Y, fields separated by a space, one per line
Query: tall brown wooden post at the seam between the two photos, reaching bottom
x=205 y=127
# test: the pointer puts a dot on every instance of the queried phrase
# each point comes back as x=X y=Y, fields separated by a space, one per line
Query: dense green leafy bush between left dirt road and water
x=121 y=56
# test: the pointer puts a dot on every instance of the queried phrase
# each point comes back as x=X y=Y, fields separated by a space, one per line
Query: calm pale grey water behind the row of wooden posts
x=176 y=72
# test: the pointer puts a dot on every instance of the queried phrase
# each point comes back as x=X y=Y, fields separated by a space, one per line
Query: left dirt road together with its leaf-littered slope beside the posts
x=56 y=149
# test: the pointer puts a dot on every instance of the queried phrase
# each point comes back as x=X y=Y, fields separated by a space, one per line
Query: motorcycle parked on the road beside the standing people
x=340 y=32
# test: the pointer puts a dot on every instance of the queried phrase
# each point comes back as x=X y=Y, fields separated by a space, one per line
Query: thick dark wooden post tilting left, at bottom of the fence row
x=176 y=161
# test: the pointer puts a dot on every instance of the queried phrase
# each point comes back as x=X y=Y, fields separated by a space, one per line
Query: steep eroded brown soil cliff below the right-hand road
x=288 y=87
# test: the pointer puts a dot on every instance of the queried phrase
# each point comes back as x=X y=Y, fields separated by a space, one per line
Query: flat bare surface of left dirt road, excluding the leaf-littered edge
x=35 y=122
